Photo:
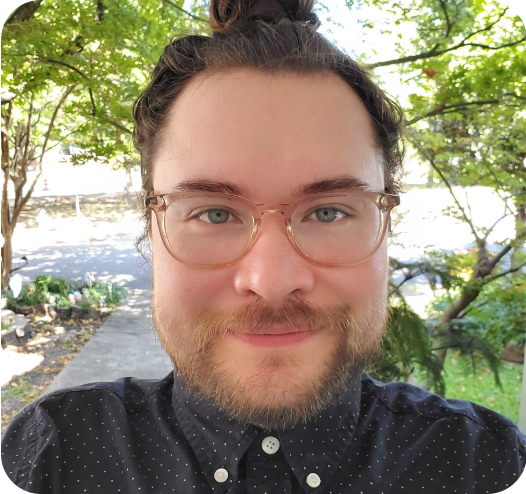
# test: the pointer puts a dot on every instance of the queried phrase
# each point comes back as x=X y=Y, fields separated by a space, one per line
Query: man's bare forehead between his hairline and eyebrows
x=270 y=134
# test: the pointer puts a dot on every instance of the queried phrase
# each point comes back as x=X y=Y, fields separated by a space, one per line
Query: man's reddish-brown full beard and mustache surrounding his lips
x=274 y=396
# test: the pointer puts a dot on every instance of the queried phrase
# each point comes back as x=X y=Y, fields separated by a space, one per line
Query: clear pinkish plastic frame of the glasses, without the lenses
x=159 y=203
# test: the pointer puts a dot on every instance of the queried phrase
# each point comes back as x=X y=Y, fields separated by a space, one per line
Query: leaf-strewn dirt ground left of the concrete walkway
x=58 y=342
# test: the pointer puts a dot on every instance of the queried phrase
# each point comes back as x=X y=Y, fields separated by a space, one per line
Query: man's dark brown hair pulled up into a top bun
x=272 y=36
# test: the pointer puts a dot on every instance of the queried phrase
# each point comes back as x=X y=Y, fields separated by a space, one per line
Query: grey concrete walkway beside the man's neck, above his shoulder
x=124 y=346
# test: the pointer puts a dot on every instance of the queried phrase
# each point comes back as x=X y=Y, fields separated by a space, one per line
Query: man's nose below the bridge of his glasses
x=273 y=269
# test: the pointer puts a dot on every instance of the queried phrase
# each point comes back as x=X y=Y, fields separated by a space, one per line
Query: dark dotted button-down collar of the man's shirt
x=219 y=441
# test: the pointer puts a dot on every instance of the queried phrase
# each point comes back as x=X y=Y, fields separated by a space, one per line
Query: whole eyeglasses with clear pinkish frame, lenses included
x=212 y=230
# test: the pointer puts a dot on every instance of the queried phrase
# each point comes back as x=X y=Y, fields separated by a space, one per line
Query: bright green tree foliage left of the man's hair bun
x=107 y=54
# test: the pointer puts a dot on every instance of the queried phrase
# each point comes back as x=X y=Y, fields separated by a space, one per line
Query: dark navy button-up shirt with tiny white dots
x=152 y=436
